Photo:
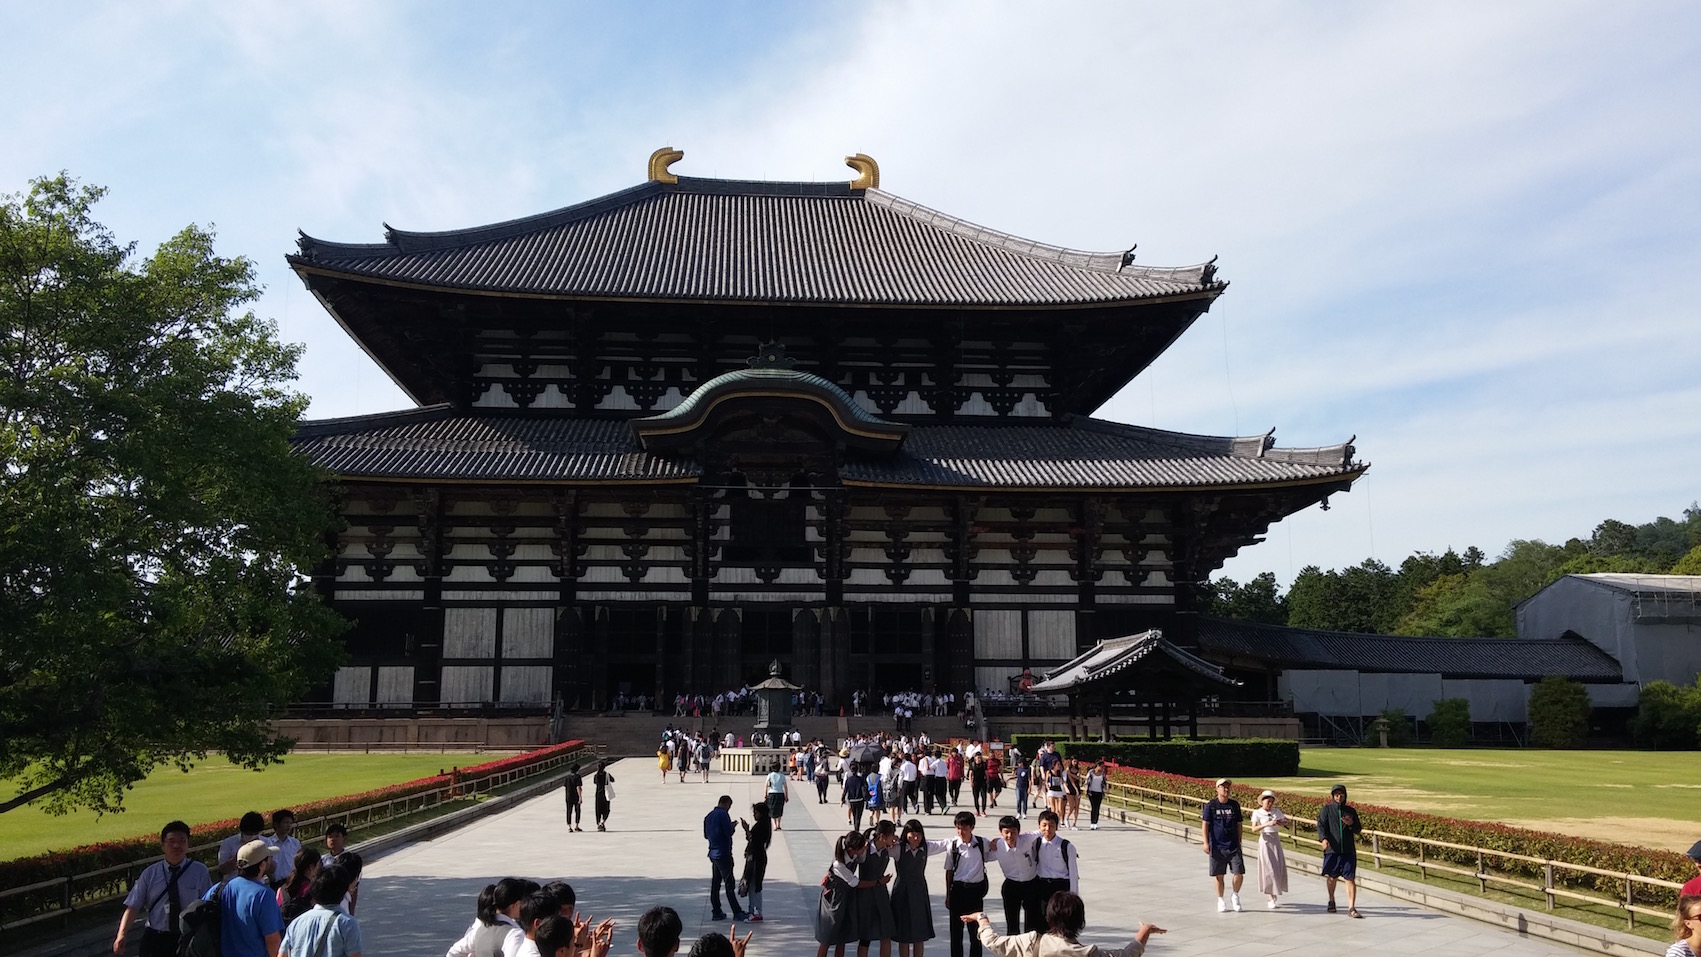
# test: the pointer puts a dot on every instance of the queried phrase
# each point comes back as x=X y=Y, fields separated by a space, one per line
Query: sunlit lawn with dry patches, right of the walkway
x=1644 y=798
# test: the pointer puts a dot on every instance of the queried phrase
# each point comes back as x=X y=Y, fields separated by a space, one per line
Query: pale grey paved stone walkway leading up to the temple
x=419 y=900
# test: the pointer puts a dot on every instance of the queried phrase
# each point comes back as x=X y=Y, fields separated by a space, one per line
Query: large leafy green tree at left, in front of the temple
x=157 y=528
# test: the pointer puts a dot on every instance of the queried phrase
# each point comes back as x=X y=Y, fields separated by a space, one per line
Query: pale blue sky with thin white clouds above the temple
x=1467 y=234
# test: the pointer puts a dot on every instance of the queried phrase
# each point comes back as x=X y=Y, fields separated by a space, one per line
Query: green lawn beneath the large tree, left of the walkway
x=219 y=790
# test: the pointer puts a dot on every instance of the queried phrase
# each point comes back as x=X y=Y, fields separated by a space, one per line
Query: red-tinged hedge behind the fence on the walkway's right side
x=1607 y=856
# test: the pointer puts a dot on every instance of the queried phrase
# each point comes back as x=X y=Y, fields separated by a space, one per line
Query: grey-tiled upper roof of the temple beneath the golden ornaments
x=756 y=242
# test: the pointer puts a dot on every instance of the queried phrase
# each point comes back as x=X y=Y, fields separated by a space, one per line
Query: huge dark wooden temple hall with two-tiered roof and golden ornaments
x=673 y=434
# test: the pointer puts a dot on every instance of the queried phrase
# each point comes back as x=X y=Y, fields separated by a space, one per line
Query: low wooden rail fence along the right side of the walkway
x=1425 y=856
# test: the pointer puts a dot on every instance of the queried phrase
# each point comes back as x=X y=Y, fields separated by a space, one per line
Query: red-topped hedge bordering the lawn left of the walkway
x=125 y=851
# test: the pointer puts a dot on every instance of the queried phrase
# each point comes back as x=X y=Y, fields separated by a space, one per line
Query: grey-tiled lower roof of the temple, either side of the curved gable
x=1072 y=453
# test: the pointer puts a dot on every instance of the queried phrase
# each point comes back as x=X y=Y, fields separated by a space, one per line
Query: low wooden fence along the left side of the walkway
x=64 y=897
